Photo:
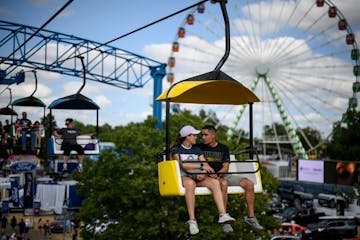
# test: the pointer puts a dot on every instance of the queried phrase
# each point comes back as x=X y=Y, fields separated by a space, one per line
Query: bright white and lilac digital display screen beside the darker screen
x=311 y=170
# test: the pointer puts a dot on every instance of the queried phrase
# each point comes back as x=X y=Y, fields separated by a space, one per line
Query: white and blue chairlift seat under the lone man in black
x=83 y=140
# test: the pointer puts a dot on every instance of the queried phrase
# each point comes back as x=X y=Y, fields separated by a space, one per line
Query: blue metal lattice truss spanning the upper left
x=57 y=52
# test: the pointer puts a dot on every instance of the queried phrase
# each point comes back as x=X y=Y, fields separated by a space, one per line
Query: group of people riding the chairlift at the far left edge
x=16 y=133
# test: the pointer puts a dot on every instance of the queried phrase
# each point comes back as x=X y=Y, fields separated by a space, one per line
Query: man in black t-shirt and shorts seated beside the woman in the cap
x=218 y=157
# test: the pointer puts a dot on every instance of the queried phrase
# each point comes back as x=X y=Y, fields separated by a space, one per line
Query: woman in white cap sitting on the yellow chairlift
x=187 y=154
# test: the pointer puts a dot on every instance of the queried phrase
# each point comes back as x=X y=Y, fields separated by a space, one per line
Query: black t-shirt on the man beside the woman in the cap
x=215 y=155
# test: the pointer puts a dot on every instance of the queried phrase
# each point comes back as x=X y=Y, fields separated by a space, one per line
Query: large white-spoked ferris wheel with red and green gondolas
x=300 y=58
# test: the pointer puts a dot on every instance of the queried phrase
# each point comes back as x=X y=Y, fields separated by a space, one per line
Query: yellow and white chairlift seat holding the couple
x=170 y=183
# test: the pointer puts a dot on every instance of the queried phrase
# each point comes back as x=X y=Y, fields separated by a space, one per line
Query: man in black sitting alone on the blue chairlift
x=69 y=143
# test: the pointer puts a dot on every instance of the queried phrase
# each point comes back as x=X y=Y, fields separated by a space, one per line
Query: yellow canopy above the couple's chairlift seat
x=208 y=89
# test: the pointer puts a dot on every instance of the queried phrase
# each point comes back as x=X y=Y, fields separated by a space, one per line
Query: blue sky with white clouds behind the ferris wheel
x=314 y=84
